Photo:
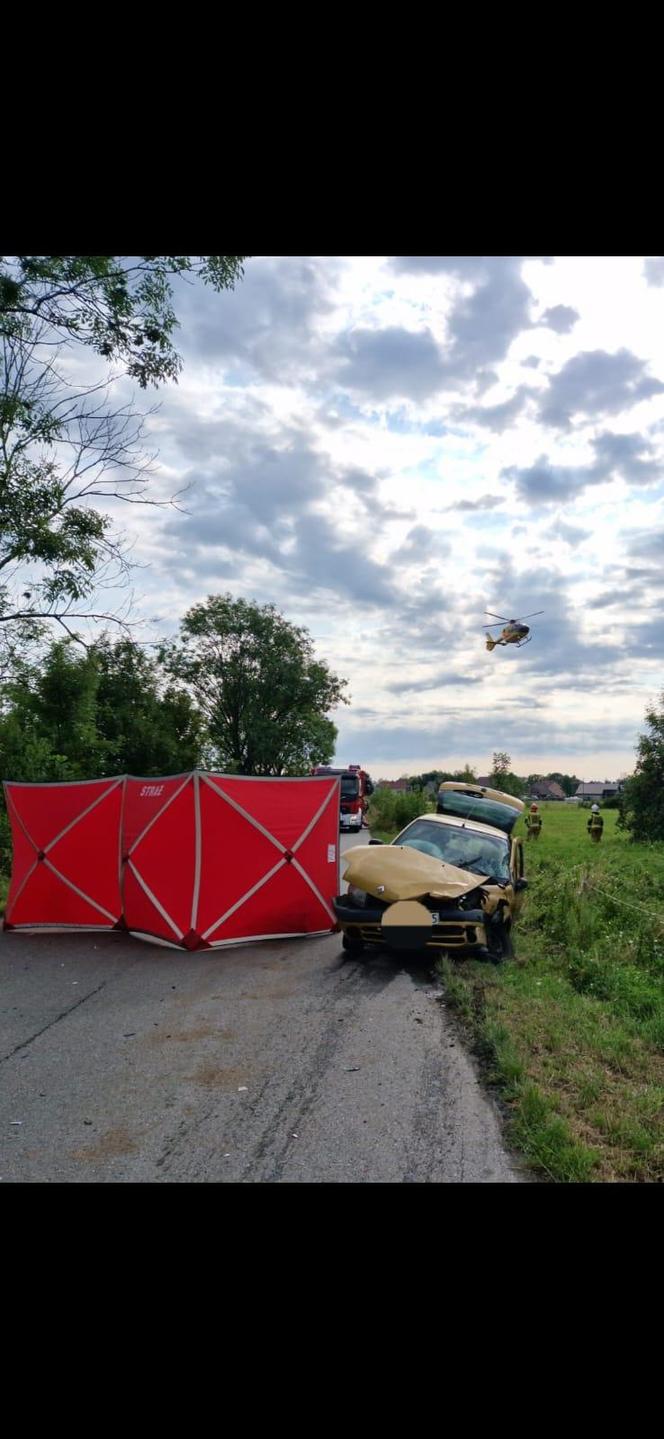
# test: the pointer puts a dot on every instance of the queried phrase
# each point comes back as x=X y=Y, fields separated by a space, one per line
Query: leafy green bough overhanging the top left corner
x=119 y=306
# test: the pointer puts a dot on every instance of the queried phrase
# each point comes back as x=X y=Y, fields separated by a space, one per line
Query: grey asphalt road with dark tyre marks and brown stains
x=279 y=1063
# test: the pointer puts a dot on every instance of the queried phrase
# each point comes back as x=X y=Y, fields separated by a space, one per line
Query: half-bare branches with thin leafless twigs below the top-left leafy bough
x=63 y=448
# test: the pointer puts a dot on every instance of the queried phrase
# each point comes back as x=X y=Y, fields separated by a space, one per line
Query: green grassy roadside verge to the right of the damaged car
x=573 y=1031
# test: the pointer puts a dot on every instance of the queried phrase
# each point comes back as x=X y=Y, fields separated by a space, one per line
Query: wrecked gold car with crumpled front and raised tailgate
x=452 y=881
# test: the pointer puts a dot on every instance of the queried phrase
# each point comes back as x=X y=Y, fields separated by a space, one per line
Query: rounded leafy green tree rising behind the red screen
x=264 y=694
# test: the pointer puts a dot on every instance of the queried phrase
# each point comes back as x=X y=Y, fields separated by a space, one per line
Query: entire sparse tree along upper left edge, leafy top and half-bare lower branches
x=64 y=448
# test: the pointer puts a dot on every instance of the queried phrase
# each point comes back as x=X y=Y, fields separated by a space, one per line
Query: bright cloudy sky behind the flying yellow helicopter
x=388 y=447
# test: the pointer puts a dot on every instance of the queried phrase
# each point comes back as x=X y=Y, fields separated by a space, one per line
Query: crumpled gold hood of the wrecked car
x=405 y=874
